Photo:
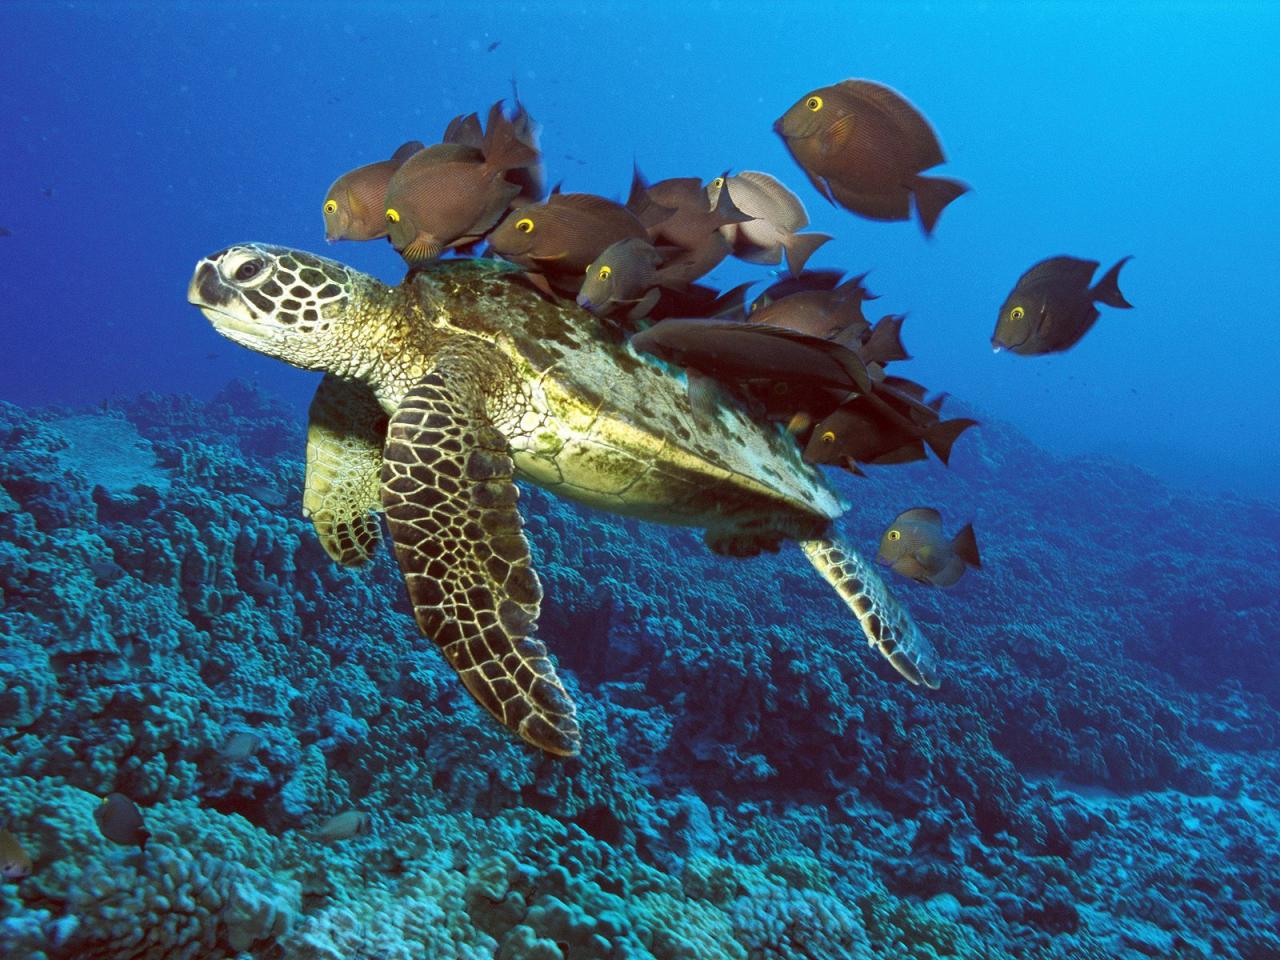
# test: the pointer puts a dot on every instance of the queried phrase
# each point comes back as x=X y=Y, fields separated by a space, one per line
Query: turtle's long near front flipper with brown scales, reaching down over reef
x=450 y=497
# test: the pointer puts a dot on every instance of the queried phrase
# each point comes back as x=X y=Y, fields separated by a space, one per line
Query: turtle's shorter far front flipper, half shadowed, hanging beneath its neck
x=345 y=463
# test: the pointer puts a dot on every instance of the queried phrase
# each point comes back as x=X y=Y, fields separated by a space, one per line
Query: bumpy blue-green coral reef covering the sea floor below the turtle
x=1098 y=778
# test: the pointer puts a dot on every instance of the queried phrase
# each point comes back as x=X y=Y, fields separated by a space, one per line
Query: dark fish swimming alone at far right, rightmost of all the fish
x=1052 y=308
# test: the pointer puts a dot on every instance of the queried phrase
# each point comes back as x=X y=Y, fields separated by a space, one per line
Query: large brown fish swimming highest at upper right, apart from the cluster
x=865 y=148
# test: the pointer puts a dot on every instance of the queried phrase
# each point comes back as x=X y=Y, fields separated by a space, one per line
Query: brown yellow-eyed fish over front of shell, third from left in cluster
x=563 y=236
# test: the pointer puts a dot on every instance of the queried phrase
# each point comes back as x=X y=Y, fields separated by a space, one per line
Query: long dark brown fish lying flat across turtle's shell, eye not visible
x=734 y=353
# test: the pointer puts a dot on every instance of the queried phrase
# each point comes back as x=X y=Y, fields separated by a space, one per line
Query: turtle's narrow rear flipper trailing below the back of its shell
x=886 y=623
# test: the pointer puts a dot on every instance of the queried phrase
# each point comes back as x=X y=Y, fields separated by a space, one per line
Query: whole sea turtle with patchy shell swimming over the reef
x=441 y=392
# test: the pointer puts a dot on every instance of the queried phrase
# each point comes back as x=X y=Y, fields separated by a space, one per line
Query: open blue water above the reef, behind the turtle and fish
x=139 y=138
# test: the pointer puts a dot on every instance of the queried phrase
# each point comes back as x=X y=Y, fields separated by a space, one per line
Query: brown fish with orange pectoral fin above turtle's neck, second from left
x=452 y=194
